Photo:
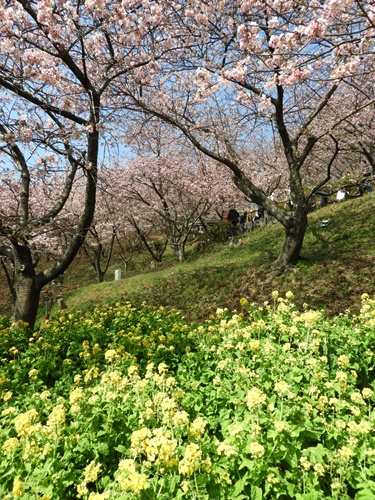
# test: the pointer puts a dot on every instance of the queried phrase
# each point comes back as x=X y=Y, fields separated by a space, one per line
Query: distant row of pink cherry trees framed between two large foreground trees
x=151 y=202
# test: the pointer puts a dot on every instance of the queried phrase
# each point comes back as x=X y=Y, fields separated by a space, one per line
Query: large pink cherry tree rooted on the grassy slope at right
x=258 y=69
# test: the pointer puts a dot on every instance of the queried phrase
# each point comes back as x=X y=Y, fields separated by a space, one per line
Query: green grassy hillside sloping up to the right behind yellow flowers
x=337 y=266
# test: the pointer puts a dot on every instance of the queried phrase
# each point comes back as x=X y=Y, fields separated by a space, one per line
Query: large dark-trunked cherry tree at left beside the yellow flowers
x=59 y=62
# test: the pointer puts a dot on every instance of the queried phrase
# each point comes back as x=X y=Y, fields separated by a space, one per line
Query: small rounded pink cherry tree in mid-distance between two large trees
x=167 y=195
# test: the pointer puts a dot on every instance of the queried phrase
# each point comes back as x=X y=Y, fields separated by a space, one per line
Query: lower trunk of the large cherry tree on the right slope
x=294 y=235
